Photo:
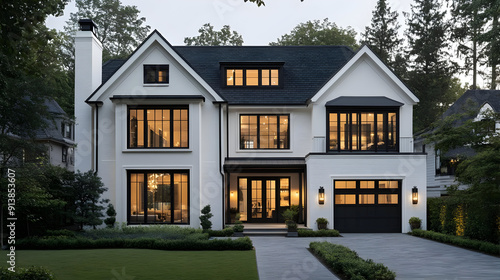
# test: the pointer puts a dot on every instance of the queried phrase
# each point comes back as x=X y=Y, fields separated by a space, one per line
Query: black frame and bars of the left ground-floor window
x=171 y=172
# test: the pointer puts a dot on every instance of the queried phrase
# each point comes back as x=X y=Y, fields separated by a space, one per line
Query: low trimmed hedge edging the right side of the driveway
x=483 y=246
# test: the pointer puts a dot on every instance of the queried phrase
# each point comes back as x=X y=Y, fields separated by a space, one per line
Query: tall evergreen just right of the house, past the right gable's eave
x=430 y=71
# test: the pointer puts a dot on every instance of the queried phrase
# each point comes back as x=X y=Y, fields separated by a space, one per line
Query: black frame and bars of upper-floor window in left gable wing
x=146 y=134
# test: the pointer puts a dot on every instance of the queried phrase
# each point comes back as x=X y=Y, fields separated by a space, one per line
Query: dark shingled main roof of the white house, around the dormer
x=305 y=70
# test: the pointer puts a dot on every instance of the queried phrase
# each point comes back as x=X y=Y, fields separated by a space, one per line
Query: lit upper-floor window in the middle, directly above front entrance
x=264 y=132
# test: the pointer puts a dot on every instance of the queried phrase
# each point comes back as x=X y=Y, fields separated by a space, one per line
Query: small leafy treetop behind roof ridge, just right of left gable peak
x=210 y=37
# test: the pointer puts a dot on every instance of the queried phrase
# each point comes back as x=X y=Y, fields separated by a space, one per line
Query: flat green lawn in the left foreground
x=142 y=264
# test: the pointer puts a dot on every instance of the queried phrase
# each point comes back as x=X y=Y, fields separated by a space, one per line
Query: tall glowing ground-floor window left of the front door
x=158 y=197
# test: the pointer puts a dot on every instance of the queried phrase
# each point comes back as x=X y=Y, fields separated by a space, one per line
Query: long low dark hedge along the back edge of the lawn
x=57 y=243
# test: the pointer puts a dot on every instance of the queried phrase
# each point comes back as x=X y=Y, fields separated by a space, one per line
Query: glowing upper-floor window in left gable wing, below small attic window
x=158 y=127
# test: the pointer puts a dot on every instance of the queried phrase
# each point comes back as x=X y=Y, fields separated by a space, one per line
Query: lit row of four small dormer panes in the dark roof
x=252 y=77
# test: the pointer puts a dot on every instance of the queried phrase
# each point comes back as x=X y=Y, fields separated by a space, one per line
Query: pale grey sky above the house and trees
x=177 y=19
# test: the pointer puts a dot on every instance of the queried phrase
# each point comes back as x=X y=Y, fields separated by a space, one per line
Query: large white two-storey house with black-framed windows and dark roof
x=248 y=129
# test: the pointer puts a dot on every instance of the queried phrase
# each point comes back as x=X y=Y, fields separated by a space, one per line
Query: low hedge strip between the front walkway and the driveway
x=348 y=265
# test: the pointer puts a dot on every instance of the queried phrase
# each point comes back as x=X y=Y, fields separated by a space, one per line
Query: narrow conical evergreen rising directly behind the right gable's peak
x=382 y=34
